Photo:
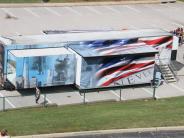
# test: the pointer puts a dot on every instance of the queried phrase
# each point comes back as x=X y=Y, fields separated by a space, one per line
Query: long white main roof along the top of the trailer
x=84 y=36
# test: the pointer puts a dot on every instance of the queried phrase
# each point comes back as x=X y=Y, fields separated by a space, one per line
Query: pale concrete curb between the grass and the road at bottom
x=100 y=132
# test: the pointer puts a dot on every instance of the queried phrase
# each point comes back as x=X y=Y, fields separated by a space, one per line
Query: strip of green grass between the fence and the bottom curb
x=99 y=116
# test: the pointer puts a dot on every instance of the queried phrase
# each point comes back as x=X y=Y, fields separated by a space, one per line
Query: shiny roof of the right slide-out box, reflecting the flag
x=112 y=50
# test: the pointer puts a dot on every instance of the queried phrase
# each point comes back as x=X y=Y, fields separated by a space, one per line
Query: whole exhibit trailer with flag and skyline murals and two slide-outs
x=86 y=59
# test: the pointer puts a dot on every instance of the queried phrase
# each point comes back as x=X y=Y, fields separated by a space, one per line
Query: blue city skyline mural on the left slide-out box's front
x=42 y=71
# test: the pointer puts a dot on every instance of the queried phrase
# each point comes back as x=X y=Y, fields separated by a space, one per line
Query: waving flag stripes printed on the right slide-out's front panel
x=112 y=70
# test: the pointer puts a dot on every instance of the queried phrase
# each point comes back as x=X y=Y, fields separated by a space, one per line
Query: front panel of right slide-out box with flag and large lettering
x=117 y=71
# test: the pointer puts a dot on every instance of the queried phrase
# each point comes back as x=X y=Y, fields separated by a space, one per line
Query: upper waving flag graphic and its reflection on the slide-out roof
x=115 y=47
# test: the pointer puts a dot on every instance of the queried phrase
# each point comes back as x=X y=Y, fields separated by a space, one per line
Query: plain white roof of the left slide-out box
x=40 y=52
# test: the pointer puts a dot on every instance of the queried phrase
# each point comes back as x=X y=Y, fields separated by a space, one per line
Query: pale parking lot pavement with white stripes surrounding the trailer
x=33 y=20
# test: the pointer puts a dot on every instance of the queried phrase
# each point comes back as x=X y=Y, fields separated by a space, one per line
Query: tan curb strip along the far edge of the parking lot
x=15 y=5
